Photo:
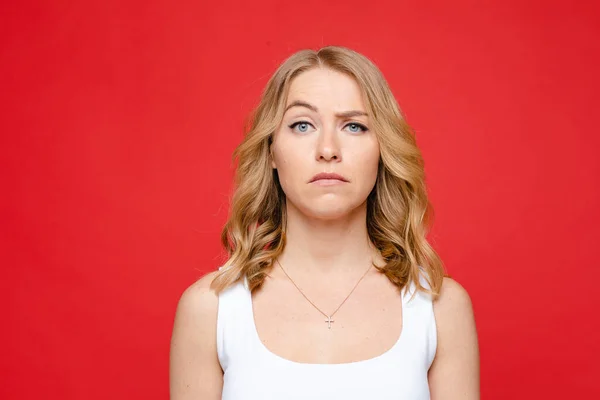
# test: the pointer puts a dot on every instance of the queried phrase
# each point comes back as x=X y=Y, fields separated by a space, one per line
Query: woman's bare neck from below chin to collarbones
x=327 y=246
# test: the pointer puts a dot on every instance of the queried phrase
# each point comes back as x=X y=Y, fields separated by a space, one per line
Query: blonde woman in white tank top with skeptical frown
x=331 y=290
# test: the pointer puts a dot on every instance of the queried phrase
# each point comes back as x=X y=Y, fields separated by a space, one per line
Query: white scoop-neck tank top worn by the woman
x=253 y=372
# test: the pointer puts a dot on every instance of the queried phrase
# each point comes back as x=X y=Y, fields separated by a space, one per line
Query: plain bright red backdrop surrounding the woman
x=119 y=119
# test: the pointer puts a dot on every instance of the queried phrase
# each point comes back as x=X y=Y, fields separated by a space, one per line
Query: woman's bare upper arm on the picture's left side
x=195 y=372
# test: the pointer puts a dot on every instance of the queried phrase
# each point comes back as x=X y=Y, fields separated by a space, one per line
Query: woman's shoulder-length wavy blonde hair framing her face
x=398 y=210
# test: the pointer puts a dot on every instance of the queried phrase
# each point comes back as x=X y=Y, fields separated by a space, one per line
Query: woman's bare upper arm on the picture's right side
x=454 y=373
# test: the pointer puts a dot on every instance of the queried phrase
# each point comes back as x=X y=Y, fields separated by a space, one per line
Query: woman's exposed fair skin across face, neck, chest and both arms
x=327 y=252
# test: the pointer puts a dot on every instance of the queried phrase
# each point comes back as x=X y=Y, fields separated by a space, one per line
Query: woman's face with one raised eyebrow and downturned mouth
x=325 y=130
